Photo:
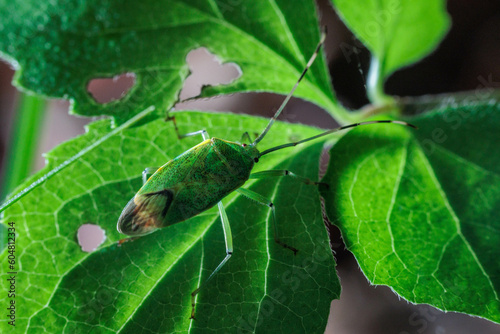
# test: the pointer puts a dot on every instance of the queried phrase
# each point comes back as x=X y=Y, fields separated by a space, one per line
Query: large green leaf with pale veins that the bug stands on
x=146 y=284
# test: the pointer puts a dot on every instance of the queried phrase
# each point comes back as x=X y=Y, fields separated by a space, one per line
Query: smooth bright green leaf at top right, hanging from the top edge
x=397 y=32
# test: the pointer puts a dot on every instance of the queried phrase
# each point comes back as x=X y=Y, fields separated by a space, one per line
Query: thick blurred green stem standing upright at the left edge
x=23 y=141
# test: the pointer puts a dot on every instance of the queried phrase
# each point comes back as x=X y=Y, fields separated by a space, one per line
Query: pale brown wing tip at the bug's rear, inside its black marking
x=135 y=220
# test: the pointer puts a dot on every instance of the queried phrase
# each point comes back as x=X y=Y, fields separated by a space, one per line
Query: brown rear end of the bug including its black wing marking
x=144 y=212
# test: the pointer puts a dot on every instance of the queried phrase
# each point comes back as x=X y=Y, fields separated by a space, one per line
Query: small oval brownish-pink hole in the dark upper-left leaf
x=105 y=90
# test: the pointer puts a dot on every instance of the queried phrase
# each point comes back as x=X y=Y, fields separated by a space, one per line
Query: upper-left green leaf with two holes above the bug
x=59 y=47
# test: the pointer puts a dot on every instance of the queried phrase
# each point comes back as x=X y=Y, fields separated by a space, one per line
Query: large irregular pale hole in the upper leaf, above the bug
x=206 y=69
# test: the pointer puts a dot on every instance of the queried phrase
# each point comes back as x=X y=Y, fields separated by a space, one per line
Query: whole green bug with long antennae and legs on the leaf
x=175 y=193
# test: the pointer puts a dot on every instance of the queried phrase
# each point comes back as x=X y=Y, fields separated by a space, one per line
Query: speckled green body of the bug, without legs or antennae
x=187 y=185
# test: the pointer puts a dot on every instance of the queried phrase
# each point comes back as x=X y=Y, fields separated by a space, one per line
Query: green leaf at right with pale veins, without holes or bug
x=419 y=209
